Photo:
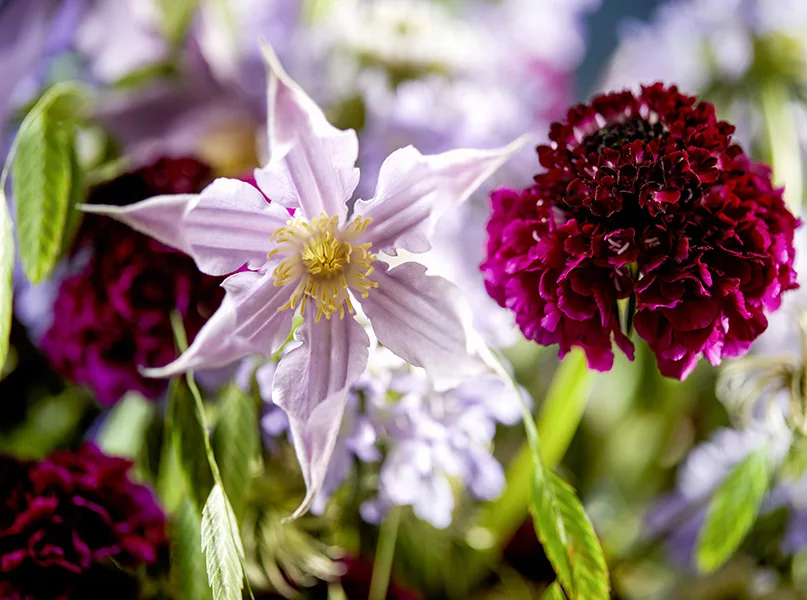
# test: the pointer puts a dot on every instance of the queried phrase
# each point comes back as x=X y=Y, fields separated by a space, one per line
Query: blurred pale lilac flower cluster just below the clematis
x=423 y=440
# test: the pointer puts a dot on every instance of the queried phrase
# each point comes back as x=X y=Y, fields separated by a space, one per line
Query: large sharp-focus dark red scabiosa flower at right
x=645 y=203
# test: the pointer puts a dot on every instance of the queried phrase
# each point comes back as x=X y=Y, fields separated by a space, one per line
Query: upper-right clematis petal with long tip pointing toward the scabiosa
x=414 y=191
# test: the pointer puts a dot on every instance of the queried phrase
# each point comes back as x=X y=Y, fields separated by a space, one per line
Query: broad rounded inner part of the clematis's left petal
x=230 y=224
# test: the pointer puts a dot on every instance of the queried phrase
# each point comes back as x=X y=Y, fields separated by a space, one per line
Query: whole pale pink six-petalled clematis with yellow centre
x=321 y=261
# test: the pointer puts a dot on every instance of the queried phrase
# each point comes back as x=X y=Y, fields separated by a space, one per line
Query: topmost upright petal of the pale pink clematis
x=311 y=162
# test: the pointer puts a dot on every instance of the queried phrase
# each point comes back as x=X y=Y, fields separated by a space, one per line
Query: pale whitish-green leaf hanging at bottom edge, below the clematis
x=221 y=545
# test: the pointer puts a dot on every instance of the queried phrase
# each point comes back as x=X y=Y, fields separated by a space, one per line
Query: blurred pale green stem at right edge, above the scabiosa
x=783 y=141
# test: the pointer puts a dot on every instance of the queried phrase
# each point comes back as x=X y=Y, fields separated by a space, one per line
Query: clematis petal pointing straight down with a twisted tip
x=311 y=385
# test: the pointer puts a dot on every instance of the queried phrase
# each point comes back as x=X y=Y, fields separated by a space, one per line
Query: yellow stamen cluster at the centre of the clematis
x=325 y=262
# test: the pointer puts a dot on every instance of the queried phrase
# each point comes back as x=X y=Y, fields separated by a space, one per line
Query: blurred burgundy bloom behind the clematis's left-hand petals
x=112 y=313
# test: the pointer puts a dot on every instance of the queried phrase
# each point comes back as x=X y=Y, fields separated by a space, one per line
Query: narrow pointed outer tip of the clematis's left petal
x=159 y=217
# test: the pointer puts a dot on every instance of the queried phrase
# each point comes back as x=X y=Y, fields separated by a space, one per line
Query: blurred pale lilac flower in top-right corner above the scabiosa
x=714 y=45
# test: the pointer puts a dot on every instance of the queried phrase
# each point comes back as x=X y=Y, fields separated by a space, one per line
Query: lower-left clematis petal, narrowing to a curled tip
x=247 y=322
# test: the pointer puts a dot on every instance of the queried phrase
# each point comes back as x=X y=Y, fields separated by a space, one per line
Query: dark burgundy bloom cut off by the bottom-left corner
x=73 y=521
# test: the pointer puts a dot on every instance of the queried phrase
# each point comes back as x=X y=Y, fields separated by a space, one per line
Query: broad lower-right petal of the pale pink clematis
x=424 y=320
